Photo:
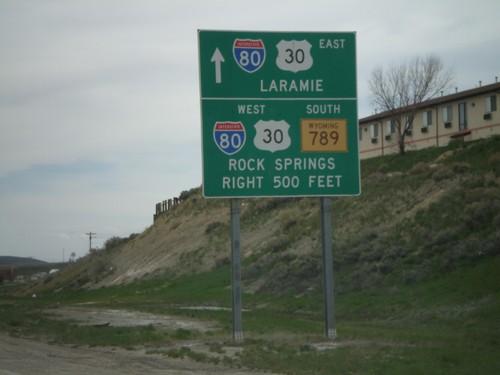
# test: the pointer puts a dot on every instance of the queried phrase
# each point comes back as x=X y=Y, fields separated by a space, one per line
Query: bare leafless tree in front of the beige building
x=401 y=88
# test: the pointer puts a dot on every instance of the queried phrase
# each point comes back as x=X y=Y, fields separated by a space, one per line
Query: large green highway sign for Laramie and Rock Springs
x=278 y=114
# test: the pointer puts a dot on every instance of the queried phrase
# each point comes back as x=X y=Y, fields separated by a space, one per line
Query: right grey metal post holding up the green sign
x=326 y=232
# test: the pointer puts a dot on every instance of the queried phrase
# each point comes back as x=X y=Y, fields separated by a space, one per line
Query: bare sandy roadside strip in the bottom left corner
x=26 y=357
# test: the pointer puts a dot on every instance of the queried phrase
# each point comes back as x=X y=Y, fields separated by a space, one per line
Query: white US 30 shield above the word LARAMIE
x=294 y=55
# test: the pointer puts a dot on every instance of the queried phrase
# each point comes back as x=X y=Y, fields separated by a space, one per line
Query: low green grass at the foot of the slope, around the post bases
x=442 y=325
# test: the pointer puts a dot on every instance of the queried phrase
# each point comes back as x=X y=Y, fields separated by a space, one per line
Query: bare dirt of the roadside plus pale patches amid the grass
x=26 y=356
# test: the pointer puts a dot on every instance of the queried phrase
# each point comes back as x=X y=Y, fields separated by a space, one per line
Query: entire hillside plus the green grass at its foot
x=416 y=275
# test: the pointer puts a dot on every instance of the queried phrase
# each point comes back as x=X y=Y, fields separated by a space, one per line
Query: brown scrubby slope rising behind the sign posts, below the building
x=419 y=215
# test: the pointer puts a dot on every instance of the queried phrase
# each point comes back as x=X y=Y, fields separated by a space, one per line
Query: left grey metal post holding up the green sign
x=236 y=270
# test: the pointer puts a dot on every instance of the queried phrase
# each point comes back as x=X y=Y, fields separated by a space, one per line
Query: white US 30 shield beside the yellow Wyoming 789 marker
x=272 y=135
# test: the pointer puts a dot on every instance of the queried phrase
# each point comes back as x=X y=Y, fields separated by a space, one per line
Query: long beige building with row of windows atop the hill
x=467 y=115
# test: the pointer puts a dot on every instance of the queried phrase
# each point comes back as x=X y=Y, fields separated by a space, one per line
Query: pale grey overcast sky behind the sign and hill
x=99 y=99
